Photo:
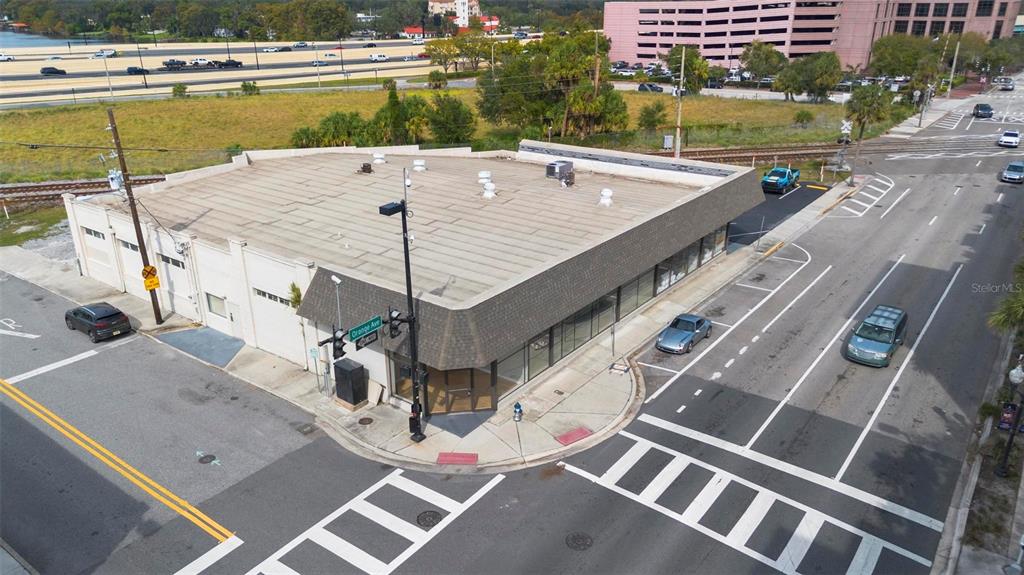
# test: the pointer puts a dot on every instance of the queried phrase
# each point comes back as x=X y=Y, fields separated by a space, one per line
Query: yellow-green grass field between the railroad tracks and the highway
x=198 y=131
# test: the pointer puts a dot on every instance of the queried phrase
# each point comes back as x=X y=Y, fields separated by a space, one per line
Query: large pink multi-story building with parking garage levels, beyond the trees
x=639 y=31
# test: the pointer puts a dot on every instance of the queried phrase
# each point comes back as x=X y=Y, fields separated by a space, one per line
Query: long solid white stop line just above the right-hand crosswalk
x=788 y=468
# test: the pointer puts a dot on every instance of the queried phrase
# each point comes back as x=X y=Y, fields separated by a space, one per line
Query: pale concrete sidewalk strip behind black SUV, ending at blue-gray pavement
x=64 y=280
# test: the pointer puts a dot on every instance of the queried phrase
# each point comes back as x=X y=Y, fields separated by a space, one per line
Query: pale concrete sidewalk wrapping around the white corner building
x=581 y=402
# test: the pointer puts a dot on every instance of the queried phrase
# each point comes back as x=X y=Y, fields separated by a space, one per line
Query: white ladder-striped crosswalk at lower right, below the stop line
x=756 y=517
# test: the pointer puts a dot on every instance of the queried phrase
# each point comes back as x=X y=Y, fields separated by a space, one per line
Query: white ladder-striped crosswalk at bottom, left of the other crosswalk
x=323 y=538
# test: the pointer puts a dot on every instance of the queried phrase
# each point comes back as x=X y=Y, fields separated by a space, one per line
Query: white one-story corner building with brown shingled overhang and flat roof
x=505 y=287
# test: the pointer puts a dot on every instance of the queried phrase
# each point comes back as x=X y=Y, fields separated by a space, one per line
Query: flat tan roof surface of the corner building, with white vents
x=320 y=208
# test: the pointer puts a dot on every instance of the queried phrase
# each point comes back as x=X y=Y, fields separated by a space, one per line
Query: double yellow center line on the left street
x=158 y=492
